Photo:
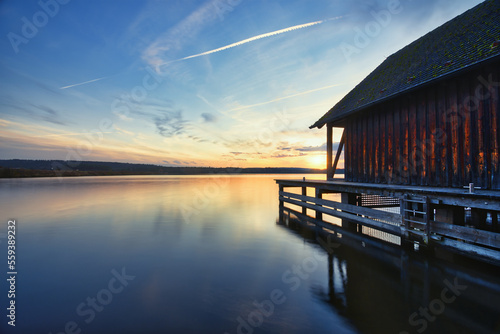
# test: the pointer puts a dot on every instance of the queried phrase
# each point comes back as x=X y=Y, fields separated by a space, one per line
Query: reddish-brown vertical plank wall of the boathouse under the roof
x=444 y=134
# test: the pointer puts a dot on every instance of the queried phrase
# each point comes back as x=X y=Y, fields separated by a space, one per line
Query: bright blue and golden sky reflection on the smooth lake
x=202 y=252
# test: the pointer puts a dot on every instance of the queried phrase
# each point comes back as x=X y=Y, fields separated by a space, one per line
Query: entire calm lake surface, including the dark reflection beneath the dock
x=207 y=254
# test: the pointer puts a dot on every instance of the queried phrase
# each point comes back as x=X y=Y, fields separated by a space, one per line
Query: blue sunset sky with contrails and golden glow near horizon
x=193 y=83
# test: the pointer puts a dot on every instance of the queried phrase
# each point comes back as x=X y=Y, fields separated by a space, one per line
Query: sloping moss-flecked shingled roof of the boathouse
x=466 y=40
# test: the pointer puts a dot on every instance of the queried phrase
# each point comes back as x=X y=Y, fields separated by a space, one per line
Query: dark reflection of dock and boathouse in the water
x=385 y=290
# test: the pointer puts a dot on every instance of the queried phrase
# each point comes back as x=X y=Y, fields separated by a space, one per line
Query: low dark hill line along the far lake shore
x=41 y=168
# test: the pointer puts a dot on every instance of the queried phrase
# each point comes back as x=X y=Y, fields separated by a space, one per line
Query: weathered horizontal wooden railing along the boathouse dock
x=415 y=221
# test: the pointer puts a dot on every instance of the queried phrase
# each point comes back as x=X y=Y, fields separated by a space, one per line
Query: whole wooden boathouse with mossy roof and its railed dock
x=421 y=137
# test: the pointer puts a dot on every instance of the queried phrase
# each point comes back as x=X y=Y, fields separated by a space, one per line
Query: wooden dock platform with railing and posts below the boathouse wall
x=464 y=221
